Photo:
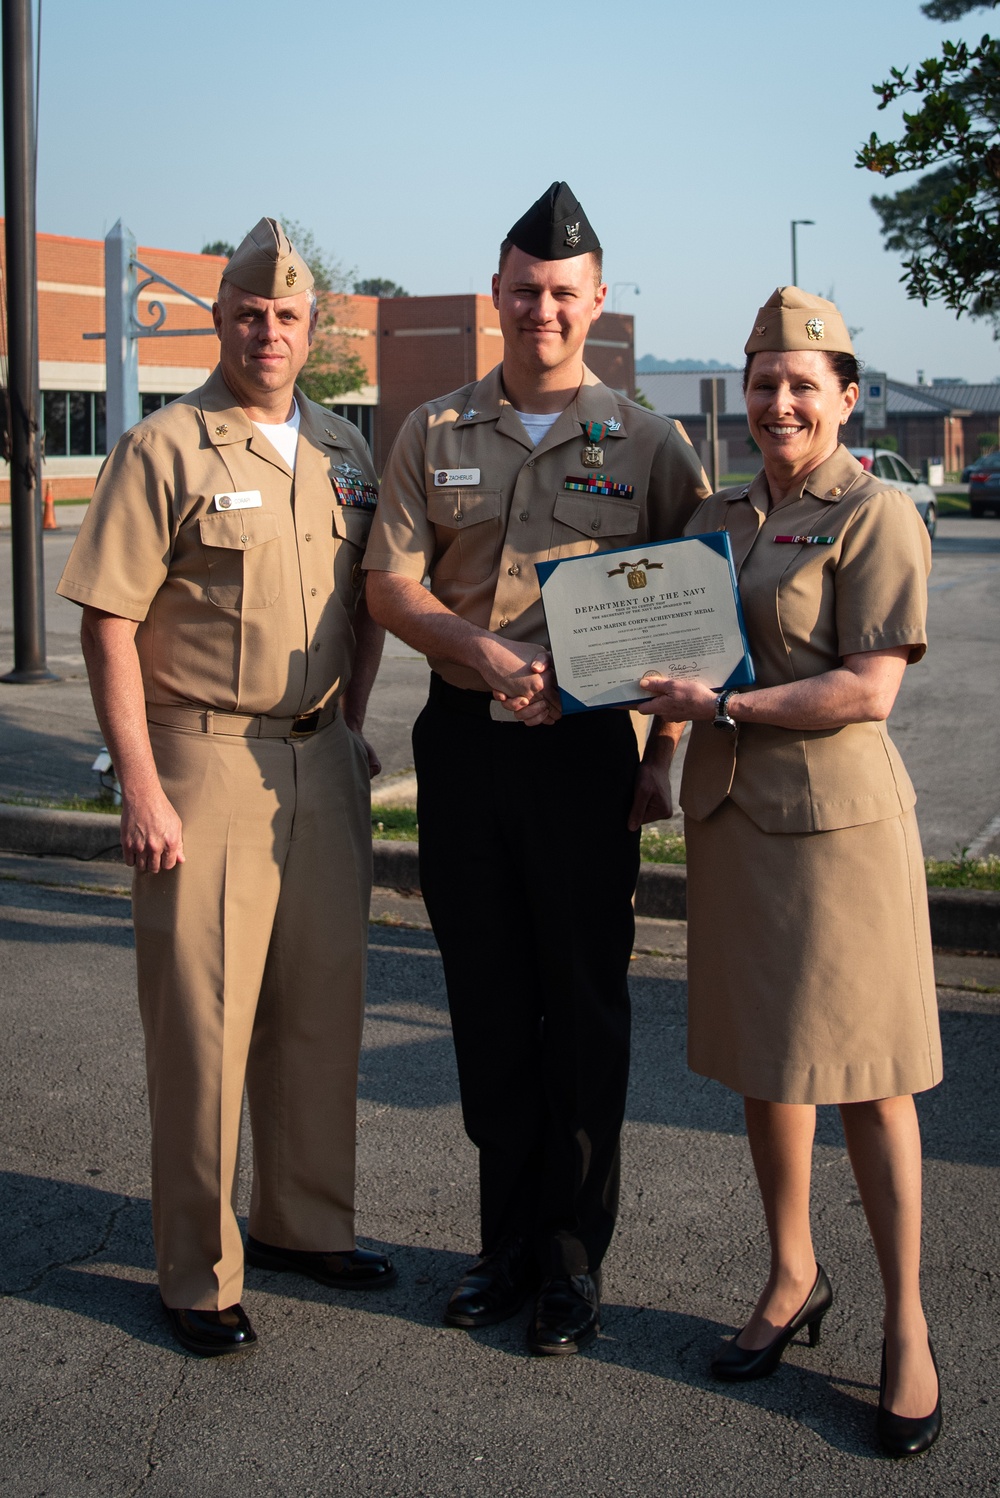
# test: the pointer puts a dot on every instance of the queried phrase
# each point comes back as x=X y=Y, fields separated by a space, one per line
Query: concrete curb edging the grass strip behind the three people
x=962 y=921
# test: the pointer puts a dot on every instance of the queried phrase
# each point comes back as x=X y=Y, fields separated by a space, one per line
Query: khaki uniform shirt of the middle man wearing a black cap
x=480 y=540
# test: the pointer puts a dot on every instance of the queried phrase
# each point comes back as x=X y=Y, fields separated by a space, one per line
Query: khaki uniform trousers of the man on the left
x=252 y=968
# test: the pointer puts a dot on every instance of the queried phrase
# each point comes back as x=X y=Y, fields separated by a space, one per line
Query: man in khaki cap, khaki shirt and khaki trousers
x=231 y=657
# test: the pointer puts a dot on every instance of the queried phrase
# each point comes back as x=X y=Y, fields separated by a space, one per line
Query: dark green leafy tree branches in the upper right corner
x=948 y=222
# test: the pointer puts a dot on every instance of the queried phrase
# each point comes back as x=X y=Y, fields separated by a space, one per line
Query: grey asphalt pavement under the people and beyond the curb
x=371 y=1395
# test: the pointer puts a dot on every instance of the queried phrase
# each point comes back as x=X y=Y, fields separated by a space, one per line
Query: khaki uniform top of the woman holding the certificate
x=806 y=607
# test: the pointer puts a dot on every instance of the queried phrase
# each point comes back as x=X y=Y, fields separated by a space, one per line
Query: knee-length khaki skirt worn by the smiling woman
x=811 y=970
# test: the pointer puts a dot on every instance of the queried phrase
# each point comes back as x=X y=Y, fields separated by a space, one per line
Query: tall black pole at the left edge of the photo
x=23 y=359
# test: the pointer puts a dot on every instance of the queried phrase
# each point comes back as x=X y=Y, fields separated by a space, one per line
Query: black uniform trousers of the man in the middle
x=528 y=870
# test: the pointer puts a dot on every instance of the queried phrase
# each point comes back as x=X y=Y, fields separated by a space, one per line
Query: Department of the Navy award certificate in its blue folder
x=667 y=606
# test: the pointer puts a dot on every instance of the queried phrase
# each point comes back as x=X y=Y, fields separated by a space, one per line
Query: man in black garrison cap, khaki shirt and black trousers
x=529 y=840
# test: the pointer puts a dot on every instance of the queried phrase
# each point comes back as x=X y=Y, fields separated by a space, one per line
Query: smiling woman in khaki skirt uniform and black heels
x=809 y=937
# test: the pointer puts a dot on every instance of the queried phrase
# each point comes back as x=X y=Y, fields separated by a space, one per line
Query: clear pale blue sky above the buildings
x=411 y=136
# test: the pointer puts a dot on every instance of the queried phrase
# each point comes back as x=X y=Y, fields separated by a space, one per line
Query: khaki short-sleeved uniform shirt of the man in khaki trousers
x=240 y=609
